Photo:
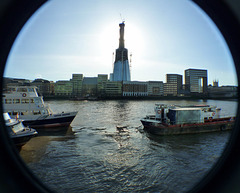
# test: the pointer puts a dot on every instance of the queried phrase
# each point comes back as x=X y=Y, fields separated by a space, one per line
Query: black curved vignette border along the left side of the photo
x=14 y=174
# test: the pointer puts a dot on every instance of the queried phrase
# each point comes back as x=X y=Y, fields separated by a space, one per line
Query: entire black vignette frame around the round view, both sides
x=14 y=174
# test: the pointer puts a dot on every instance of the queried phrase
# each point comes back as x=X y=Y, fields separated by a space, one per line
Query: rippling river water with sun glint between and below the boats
x=96 y=157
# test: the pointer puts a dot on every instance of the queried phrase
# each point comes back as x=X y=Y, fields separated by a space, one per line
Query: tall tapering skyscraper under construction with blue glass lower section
x=121 y=71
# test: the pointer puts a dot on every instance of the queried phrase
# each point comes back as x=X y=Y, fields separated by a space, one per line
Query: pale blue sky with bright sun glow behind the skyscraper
x=164 y=37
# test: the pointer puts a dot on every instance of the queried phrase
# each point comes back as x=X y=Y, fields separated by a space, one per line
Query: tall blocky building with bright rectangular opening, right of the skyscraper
x=196 y=80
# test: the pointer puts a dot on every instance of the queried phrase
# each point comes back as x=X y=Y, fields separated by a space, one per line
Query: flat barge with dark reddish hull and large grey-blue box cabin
x=176 y=120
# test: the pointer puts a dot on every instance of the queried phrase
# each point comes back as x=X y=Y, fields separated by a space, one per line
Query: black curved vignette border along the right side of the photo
x=225 y=175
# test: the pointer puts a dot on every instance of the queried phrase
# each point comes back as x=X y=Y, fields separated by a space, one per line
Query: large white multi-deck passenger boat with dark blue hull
x=24 y=102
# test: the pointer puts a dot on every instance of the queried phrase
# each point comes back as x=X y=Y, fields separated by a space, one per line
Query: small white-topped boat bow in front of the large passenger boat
x=18 y=132
